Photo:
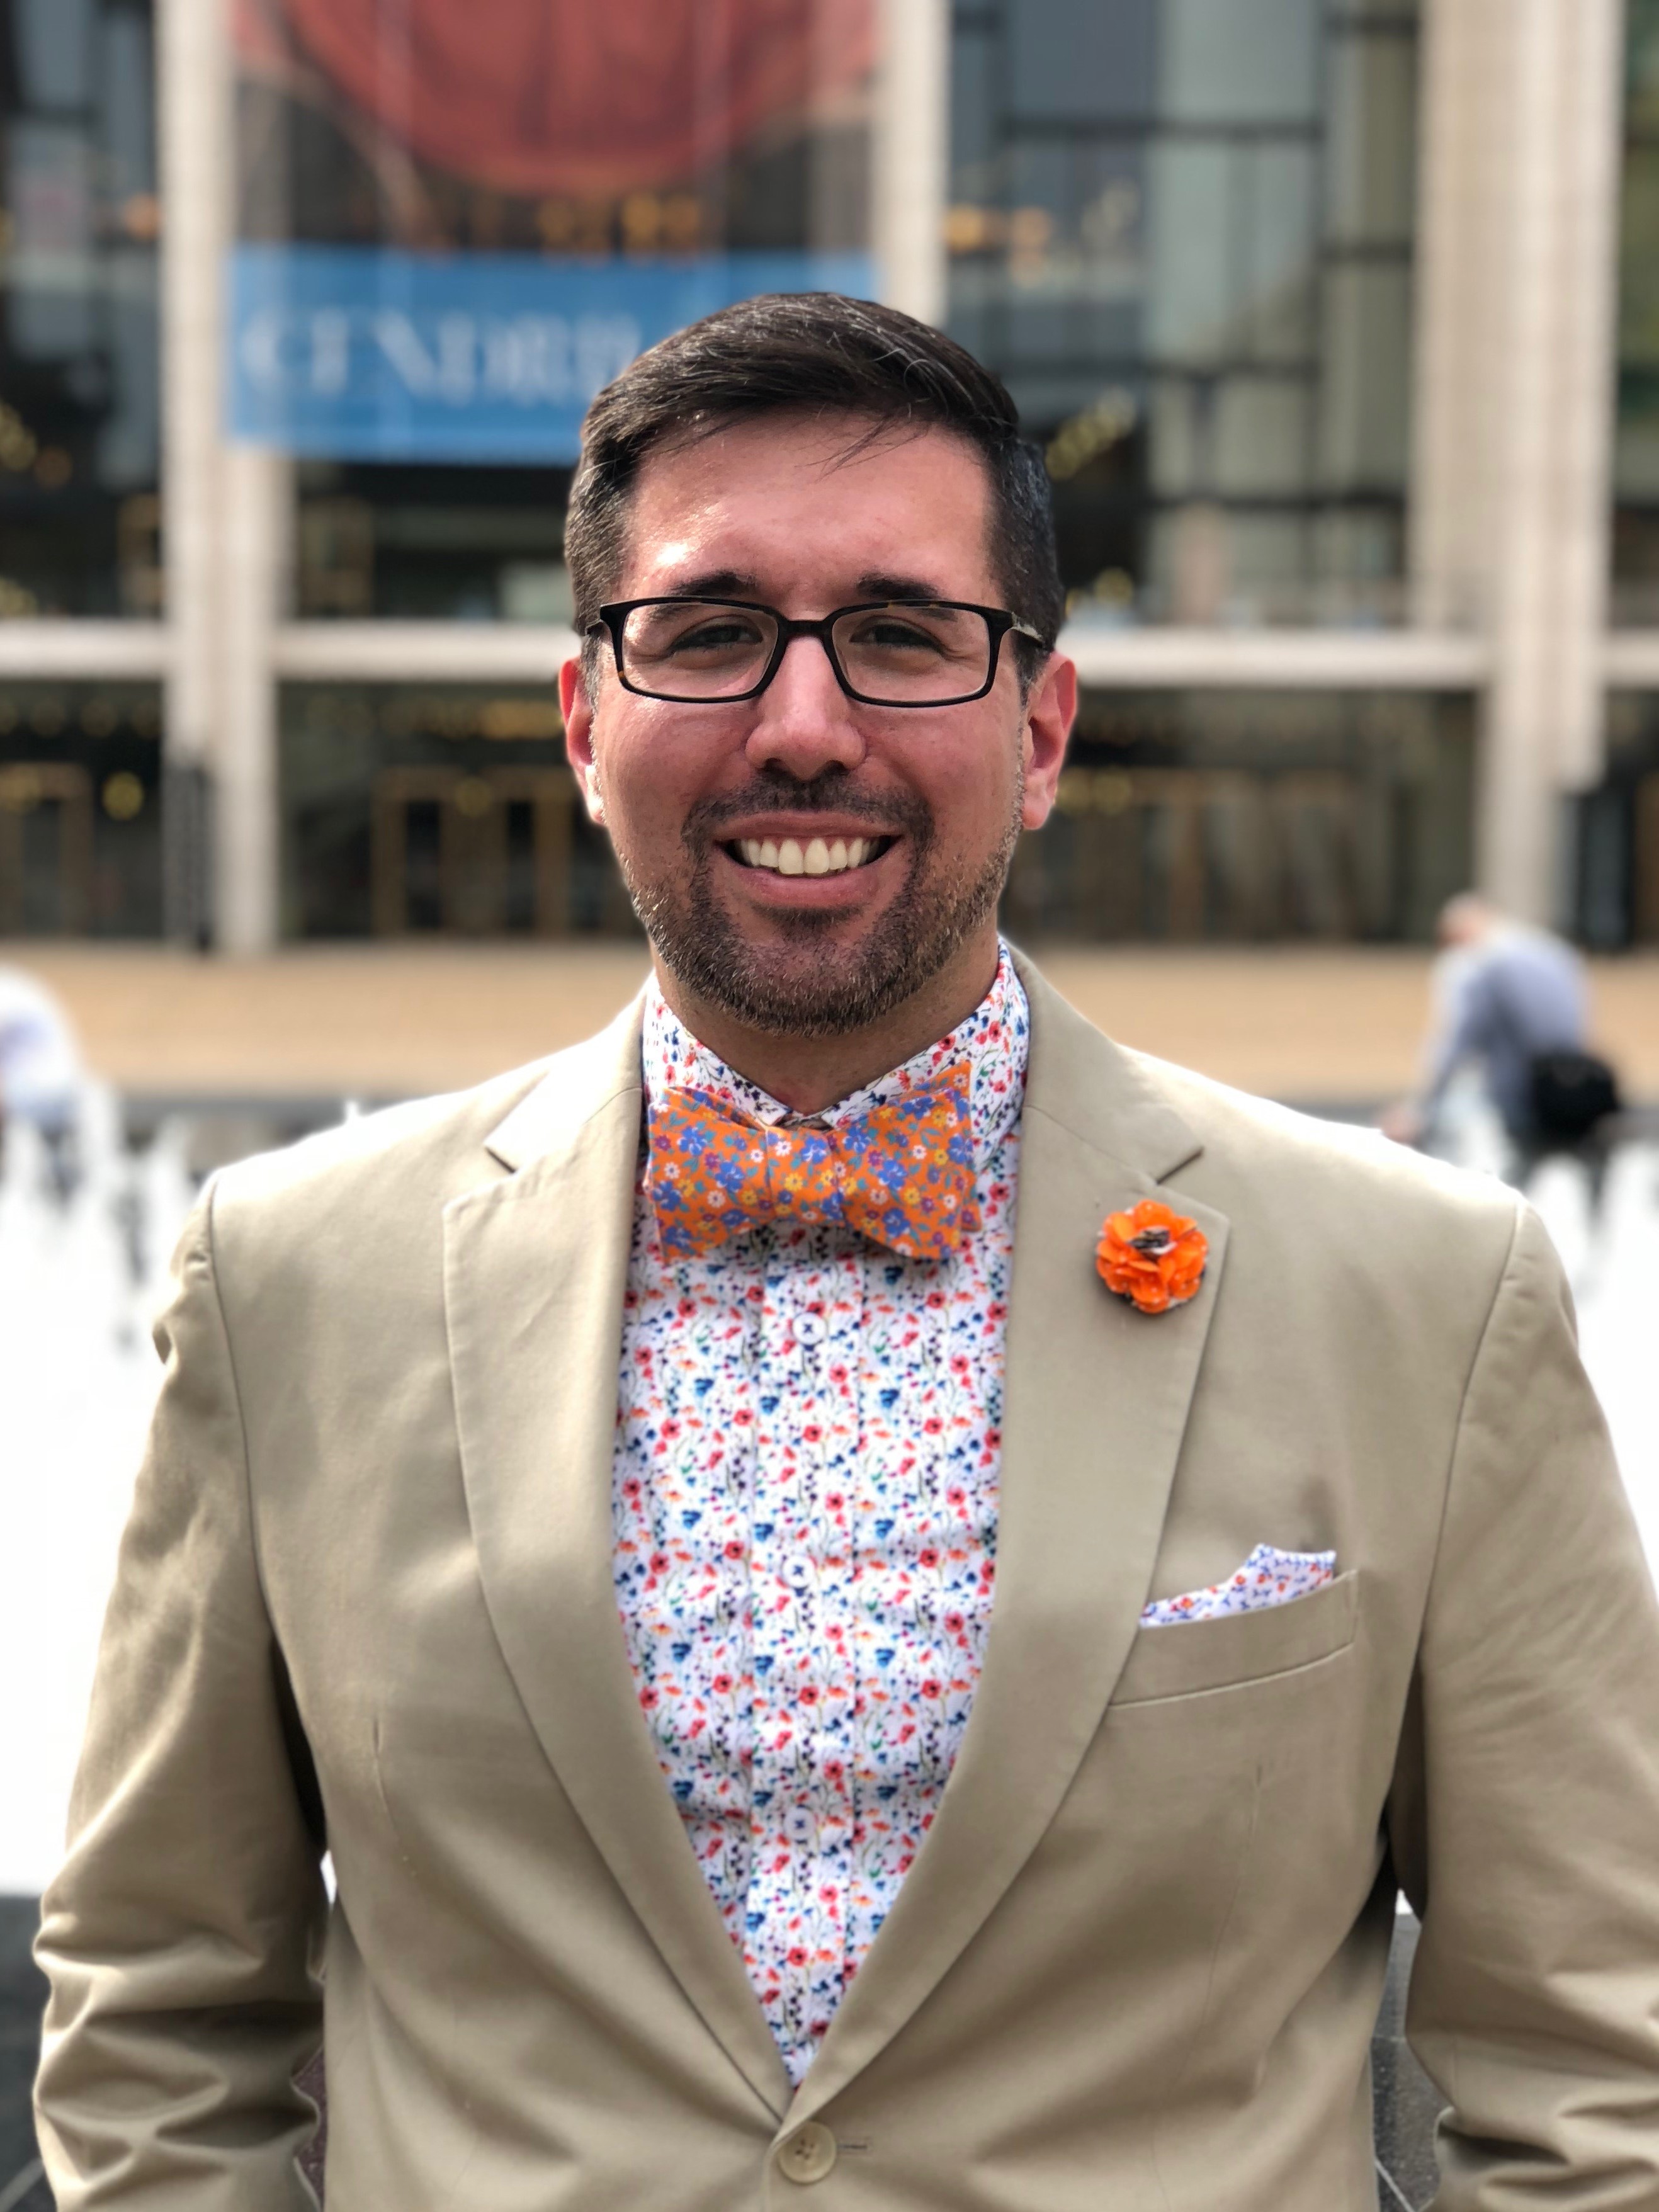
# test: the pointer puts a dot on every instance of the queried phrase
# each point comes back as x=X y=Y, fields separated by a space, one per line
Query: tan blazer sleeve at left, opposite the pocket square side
x=182 y=1937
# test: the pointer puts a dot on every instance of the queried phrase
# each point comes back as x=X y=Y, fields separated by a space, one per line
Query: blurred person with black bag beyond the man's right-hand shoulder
x=1514 y=1003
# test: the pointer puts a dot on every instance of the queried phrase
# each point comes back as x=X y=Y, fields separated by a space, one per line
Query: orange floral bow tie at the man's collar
x=901 y=1176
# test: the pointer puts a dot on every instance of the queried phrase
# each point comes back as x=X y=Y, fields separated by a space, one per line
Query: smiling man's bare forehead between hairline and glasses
x=808 y=508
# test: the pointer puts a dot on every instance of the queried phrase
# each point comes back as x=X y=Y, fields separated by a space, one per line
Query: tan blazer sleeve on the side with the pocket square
x=1525 y=1817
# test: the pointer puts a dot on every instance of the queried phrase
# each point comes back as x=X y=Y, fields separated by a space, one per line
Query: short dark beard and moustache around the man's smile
x=844 y=992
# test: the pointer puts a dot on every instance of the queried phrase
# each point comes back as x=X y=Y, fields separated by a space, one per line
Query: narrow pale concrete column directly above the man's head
x=912 y=156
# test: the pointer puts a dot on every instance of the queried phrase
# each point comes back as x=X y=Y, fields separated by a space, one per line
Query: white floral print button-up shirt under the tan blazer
x=806 y=1514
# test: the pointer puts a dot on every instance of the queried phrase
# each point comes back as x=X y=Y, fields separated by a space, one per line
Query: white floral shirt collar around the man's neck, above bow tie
x=994 y=1045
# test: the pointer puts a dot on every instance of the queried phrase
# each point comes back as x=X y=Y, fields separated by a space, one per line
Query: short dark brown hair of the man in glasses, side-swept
x=826 y=355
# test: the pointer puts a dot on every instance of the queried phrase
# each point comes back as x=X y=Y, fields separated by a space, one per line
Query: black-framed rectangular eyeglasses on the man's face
x=884 y=651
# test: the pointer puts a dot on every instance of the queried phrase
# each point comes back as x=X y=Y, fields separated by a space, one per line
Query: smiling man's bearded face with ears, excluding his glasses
x=926 y=802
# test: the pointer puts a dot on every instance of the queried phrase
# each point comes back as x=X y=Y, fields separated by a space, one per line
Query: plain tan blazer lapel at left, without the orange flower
x=534 y=1277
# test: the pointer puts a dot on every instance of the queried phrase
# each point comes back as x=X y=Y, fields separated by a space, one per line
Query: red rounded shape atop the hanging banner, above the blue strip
x=578 y=98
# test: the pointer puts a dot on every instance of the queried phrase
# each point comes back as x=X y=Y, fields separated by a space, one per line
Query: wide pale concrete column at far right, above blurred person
x=1514 y=404
